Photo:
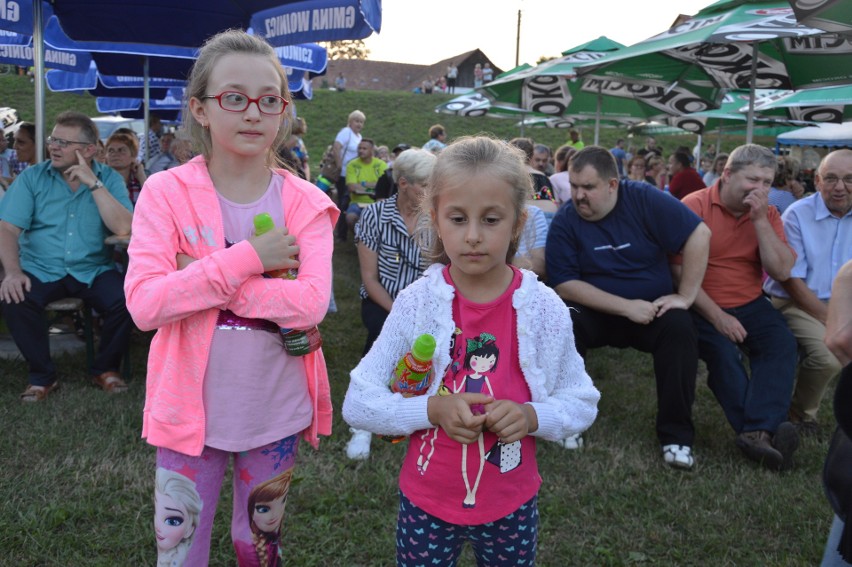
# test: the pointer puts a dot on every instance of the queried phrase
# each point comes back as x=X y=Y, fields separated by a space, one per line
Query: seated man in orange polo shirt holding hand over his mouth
x=733 y=316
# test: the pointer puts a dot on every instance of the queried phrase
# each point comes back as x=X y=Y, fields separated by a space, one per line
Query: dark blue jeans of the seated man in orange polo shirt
x=759 y=402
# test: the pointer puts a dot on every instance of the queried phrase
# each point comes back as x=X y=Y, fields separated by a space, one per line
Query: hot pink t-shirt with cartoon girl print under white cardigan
x=484 y=352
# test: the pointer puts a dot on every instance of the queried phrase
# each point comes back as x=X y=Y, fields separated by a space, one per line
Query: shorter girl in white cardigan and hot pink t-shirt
x=506 y=370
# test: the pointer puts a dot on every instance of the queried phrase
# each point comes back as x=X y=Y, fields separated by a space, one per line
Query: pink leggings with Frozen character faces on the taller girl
x=187 y=490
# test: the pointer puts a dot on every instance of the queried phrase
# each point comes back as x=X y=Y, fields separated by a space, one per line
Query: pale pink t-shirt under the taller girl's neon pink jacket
x=254 y=393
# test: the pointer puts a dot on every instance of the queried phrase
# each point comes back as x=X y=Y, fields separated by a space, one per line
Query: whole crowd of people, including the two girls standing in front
x=515 y=259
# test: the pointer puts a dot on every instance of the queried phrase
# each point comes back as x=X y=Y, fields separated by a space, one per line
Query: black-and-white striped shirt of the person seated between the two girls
x=382 y=229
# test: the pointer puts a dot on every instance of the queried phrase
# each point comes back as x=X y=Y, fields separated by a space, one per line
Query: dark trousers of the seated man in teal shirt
x=28 y=327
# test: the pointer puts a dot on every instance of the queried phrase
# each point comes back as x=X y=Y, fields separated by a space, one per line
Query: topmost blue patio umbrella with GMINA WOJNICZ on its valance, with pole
x=188 y=23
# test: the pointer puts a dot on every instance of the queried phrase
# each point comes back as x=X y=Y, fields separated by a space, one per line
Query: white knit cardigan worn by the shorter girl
x=563 y=395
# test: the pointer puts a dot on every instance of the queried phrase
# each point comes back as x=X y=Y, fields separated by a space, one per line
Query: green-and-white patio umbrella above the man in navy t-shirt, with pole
x=553 y=89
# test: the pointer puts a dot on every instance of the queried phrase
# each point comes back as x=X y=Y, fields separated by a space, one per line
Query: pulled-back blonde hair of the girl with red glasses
x=228 y=43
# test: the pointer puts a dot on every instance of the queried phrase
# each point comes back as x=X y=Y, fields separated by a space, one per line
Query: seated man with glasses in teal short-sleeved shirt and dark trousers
x=53 y=223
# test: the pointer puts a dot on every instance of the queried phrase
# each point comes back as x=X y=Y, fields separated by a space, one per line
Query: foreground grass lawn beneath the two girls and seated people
x=76 y=480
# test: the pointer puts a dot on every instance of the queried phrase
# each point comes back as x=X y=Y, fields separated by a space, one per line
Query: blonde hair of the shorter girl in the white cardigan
x=470 y=156
